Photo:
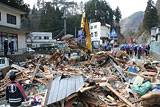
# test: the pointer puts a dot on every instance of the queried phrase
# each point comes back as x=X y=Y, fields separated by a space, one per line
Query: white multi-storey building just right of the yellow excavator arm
x=99 y=33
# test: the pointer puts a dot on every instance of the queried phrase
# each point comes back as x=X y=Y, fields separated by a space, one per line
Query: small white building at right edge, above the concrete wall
x=155 y=34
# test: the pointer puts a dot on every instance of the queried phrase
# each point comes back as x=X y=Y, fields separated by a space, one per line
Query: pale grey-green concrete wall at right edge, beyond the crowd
x=155 y=50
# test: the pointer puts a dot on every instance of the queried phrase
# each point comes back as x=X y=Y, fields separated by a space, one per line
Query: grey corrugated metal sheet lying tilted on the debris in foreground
x=63 y=87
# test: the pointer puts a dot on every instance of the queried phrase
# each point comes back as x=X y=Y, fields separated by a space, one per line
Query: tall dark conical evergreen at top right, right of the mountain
x=150 y=17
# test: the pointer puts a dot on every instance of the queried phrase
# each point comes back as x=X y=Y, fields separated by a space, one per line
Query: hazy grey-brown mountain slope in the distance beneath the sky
x=131 y=23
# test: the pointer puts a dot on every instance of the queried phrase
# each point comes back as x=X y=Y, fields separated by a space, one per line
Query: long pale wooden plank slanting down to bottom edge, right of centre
x=117 y=93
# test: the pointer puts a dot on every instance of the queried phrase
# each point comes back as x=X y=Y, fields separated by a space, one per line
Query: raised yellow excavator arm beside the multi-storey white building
x=84 y=26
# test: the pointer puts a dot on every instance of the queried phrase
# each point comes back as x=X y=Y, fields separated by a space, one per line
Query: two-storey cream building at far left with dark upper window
x=10 y=27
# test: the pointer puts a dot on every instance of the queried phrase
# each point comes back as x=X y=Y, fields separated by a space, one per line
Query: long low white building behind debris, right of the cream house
x=40 y=39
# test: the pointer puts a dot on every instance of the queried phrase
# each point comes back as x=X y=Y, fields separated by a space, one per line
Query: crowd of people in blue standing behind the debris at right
x=139 y=50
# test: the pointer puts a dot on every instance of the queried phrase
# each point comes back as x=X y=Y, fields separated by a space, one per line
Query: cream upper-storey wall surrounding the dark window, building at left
x=4 y=11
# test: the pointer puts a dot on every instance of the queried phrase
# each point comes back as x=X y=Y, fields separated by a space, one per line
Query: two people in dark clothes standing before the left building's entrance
x=11 y=46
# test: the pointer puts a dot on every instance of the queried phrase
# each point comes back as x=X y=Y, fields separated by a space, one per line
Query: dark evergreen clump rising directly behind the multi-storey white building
x=99 y=10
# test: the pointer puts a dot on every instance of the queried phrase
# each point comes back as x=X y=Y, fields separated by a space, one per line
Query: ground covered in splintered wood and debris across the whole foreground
x=102 y=81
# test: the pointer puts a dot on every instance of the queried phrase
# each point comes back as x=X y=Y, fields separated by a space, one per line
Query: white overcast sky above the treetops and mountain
x=127 y=7
